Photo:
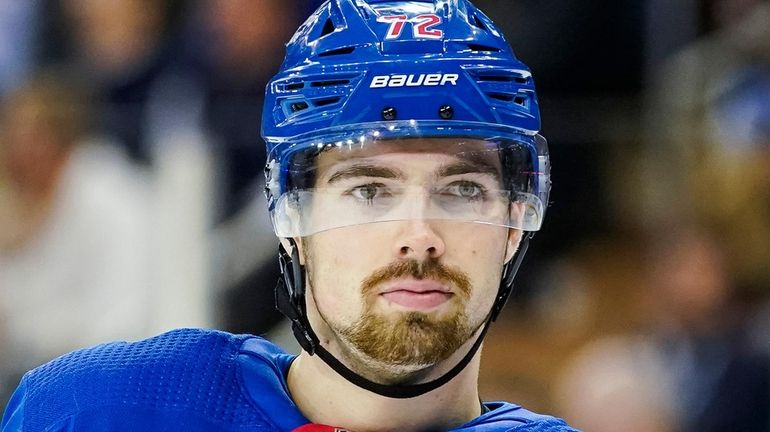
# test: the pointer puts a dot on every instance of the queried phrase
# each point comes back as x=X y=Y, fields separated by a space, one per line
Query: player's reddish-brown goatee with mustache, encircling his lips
x=411 y=338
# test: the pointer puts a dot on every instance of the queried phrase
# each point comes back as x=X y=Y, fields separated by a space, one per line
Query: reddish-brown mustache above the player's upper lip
x=429 y=269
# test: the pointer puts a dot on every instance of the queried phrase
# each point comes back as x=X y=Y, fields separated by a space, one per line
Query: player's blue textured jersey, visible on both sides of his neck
x=186 y=380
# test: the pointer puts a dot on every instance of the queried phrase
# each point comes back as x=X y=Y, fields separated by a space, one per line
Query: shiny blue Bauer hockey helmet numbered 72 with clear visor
x=362 y=73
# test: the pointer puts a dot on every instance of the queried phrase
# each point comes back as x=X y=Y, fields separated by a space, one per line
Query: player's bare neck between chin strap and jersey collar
x=325 y=397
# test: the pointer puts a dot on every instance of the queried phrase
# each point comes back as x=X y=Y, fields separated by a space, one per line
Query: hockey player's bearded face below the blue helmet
x=406 y=293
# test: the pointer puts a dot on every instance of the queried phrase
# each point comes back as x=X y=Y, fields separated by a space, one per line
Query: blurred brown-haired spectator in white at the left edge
x=74 y=232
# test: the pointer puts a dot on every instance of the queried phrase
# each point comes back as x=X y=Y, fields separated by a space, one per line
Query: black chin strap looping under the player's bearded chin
x=290 y=300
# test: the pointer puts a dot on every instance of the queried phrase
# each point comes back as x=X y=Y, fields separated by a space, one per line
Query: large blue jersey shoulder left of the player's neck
x=186 y=373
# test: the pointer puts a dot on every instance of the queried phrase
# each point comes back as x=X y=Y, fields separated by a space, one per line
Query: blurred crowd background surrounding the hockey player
x=131 y=203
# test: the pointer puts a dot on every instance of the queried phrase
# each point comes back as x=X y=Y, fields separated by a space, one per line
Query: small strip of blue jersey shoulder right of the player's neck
x=504 y=416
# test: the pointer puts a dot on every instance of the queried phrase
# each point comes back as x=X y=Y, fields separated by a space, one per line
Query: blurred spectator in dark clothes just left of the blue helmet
x=239 y=46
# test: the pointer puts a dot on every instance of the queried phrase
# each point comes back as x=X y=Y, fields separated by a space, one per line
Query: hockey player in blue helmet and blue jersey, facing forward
x=405 y=178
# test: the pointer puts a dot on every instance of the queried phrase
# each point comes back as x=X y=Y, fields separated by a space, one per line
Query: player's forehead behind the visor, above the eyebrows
x=414 y=154
